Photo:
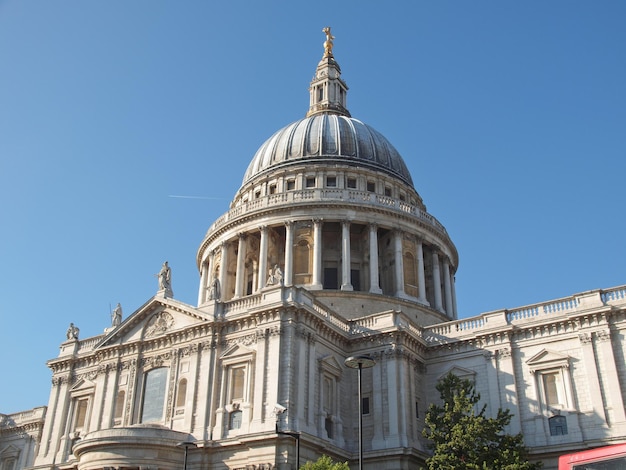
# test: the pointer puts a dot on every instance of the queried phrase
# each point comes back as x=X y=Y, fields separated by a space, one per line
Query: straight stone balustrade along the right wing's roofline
x=568 y=306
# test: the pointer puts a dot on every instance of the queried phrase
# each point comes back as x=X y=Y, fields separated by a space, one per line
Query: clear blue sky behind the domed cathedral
x=511 y=117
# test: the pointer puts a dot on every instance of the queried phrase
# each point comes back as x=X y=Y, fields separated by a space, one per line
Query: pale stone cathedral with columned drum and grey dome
x=326 y=315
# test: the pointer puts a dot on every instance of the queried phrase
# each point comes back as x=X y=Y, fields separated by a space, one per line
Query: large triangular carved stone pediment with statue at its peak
x=157 y=317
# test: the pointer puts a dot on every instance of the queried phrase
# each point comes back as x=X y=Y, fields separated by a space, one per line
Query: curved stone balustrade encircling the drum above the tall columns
x=362 y=198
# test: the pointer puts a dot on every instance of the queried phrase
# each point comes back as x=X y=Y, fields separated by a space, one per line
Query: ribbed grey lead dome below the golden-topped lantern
x=328 y=138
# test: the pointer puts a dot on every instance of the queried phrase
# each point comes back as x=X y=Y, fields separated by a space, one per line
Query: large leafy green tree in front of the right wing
x=463 y=438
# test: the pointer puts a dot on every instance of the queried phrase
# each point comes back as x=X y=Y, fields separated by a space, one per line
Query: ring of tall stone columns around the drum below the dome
x=439 y=276
